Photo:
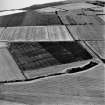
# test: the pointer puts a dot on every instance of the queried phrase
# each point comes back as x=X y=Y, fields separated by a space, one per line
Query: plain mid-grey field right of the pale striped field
x=88 y=32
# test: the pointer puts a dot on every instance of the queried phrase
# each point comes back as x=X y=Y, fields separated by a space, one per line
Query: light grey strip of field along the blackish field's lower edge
x=55 y=70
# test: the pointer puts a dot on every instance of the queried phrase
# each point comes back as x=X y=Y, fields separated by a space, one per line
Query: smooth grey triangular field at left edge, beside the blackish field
x=8 y=68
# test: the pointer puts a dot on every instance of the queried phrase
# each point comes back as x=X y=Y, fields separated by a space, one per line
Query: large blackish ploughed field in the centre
x=36 y=55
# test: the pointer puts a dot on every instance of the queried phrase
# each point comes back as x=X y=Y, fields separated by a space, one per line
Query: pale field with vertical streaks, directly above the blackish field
x=36 y=33
